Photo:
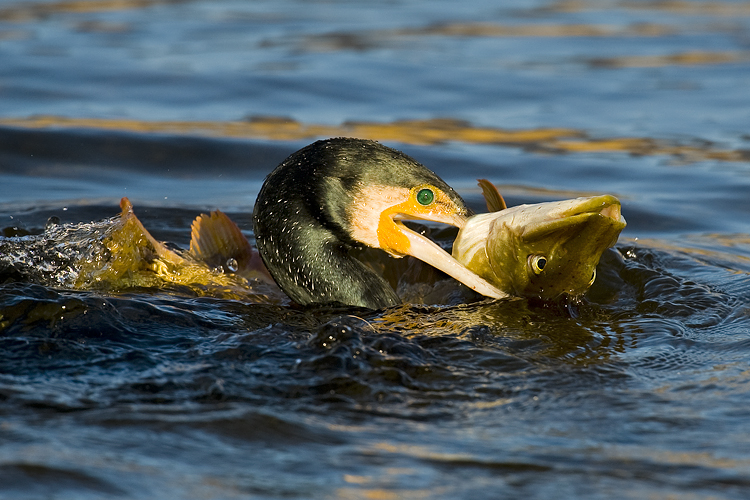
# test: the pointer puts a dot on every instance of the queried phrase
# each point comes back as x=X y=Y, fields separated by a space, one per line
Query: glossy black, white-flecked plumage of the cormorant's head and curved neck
x=304 y=212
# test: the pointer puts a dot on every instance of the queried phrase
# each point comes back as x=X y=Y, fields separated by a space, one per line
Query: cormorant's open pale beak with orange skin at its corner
x=398 y=240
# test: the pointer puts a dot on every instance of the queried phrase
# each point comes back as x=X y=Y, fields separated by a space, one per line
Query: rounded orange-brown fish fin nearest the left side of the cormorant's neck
x=215 y=236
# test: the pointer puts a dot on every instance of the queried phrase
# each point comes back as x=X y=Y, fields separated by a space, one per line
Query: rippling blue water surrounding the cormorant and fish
x=642 y=391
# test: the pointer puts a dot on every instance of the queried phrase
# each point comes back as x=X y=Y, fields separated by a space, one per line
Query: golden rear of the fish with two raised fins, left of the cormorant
x=220 y=261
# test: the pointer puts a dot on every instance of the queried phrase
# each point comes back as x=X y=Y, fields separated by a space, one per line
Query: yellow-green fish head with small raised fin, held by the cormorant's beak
x=545 y=250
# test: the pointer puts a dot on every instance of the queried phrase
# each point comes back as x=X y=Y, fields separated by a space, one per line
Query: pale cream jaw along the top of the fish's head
x=538 y=221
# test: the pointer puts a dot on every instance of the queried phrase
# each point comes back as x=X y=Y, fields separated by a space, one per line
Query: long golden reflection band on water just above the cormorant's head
x=418 y=132
